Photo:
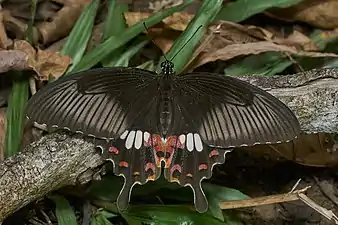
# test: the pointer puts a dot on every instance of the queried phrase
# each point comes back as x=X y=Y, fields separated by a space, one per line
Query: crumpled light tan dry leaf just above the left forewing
x=45 y=64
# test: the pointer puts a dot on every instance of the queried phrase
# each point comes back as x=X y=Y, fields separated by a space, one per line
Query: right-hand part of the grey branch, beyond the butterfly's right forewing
x=311 y=95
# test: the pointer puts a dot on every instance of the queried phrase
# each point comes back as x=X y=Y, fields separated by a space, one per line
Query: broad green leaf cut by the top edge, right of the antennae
x=240 y=10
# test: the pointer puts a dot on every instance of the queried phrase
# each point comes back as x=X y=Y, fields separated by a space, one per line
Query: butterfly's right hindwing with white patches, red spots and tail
x=188 y=161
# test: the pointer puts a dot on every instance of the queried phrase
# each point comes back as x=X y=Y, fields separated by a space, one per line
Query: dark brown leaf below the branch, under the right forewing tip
x=319 y=150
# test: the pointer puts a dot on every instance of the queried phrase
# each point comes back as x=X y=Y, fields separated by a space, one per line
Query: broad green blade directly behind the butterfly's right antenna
x=184 y=46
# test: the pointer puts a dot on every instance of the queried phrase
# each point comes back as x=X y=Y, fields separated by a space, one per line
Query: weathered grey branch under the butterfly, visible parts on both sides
x=58 y=160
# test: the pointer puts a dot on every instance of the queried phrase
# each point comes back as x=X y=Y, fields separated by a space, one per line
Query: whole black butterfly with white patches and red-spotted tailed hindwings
x=141 y=119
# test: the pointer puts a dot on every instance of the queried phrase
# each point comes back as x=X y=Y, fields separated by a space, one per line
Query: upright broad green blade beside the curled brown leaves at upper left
x=80 y=35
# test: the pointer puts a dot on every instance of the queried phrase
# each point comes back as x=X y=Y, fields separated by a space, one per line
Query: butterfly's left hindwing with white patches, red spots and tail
x=136 y=156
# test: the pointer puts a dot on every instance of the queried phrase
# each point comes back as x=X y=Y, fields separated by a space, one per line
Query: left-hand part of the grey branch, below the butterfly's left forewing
x=55 y=161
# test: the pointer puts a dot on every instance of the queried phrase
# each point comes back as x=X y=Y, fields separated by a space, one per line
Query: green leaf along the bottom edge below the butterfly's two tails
x=168 y=215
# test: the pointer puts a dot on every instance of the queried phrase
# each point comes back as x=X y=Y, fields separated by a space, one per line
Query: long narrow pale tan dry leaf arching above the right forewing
x=234 y=50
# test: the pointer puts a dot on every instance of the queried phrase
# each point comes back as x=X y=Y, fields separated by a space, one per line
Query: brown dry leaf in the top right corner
x=319 y=13
